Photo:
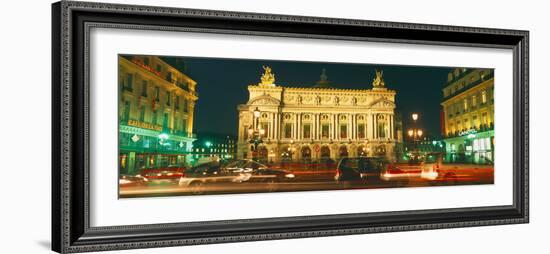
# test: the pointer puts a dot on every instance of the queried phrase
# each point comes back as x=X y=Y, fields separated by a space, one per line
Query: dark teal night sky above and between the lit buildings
x=222 y=85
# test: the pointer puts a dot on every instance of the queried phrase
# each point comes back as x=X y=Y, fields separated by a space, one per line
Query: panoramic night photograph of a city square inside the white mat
x=204 y=126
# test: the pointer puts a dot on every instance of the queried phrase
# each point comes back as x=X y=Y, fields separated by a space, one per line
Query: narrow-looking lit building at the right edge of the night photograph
x=468 y=116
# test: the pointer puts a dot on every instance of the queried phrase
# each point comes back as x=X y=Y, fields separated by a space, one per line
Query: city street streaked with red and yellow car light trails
x=463 y=175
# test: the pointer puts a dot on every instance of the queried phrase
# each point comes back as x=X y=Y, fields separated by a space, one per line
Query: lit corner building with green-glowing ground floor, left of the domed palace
x=155 y=113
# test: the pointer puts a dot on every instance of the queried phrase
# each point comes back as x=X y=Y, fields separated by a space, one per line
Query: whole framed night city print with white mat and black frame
x=180 y=126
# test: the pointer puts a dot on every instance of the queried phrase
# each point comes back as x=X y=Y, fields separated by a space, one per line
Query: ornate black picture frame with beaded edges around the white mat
x=71 y=230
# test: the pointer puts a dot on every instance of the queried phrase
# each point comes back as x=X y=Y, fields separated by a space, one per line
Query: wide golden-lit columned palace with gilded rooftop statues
x=317 y=122
